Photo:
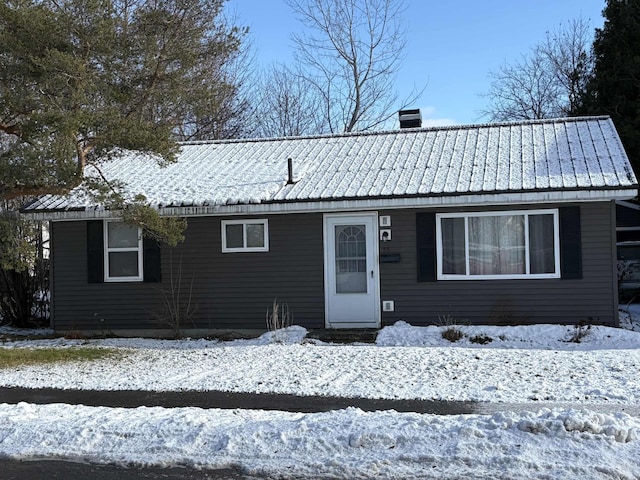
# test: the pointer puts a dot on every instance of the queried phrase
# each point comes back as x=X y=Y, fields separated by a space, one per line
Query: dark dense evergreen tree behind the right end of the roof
x=614 y=88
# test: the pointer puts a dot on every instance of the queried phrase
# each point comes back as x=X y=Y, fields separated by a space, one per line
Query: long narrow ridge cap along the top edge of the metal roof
x=399 y=131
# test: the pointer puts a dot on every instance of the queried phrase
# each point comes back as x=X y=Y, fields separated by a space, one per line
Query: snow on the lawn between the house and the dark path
x=520 y=364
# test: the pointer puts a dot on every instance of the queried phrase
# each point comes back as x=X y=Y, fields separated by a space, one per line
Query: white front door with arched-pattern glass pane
x=352 y=287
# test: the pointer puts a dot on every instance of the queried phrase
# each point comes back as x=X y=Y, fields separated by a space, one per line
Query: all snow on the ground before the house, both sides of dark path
x=519 y=365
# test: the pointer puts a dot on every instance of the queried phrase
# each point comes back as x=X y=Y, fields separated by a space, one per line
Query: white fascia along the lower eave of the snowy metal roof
x=472 y=200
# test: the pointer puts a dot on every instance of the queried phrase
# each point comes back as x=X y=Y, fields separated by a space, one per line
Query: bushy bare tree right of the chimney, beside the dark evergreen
x=548 y=81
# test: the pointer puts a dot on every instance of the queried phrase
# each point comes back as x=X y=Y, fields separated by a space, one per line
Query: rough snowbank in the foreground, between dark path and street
x=341 y=444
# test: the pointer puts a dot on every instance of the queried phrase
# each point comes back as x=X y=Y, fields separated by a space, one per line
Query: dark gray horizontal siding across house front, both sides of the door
x=234 y=290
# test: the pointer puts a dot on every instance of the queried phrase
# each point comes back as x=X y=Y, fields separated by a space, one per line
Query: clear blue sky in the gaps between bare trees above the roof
x=452 y=45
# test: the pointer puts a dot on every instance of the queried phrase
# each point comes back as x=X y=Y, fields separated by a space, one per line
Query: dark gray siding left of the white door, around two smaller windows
x=226 y=290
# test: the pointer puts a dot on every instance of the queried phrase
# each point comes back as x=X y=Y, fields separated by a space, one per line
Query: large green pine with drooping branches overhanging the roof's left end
x=81 y=79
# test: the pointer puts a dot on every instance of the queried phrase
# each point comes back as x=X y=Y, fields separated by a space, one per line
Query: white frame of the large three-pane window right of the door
x=527 y=274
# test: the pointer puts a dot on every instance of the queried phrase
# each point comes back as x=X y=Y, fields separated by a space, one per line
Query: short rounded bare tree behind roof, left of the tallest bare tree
x=287 y=105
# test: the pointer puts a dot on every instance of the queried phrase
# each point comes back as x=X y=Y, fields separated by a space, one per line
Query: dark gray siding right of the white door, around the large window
x=504 y=301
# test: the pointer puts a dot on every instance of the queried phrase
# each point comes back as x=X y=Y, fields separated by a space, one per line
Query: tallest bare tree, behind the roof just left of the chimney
x=349 y=57
